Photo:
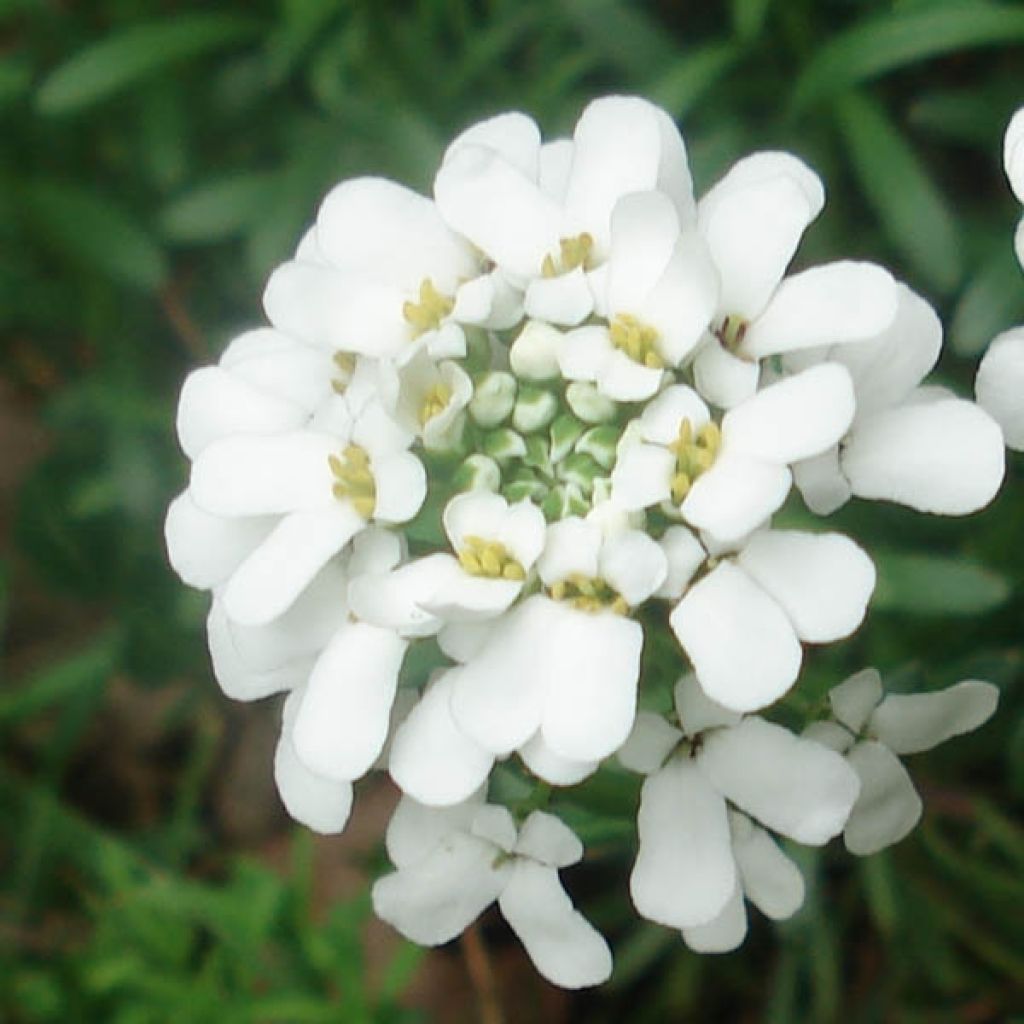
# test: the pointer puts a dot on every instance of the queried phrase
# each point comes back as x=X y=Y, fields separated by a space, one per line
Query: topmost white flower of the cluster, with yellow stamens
x=544 y=215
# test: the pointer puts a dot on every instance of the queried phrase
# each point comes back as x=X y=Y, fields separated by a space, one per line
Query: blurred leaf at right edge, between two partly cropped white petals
x=993 y=302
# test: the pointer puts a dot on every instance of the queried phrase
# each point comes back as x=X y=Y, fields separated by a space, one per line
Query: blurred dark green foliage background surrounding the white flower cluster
x=158 y=160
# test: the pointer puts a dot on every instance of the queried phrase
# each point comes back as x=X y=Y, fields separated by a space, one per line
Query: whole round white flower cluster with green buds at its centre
x=497 y=442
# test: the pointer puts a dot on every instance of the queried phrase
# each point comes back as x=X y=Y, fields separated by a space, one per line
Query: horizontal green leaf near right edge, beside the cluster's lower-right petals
x=936 y=585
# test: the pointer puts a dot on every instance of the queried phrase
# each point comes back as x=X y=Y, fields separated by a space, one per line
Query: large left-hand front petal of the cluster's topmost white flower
x=499 y=209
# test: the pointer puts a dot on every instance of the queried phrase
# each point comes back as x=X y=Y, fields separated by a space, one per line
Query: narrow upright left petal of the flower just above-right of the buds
x=645 y=229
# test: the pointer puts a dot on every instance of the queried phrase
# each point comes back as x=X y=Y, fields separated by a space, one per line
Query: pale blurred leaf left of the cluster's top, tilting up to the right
x=220 y=209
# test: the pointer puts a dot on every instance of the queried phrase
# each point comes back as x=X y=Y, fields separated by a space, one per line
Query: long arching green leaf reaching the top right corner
x=876 y=47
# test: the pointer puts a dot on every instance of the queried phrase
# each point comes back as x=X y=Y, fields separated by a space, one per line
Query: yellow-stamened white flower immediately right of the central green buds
x=729 y=482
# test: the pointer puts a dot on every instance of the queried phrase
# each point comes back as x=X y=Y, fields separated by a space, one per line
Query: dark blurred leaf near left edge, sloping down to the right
x=97 y=233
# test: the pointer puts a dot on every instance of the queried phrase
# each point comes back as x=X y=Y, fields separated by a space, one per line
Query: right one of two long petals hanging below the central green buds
x=593 y=666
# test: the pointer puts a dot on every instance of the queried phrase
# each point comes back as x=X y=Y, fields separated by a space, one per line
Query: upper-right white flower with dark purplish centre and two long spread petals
x=752 y=222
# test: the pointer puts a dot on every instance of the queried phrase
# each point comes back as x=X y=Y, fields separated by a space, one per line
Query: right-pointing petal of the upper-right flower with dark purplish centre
x=826 y=306
